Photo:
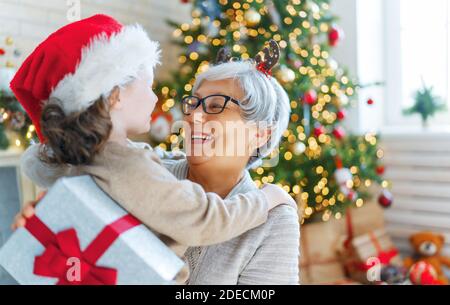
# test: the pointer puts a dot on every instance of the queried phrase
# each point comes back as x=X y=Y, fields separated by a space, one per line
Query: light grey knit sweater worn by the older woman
x=265 y=255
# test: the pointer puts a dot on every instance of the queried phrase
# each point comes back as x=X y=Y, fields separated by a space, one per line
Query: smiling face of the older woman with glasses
x=224 y=139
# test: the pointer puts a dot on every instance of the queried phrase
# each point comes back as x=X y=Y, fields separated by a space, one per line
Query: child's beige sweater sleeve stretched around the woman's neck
x=181 y=209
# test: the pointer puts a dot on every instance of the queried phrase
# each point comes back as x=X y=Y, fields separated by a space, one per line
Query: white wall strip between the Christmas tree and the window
x=362 y=52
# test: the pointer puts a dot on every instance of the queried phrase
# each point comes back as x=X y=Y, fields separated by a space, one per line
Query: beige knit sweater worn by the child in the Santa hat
x=179 y=210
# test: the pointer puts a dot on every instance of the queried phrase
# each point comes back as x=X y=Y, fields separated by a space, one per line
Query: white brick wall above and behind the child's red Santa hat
x=29 y=21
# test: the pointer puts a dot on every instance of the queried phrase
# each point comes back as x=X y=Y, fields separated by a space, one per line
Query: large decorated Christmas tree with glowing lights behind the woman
x=326 y=169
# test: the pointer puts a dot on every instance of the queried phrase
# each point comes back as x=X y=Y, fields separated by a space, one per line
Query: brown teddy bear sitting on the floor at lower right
x=427 y=247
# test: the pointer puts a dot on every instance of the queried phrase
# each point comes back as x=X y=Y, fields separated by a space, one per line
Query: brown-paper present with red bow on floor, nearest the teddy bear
x=364 y=256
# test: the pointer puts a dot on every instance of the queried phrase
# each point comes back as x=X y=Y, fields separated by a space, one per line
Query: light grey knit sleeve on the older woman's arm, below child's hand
x=282 y=243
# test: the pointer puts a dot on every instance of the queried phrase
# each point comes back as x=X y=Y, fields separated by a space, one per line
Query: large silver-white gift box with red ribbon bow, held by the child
x=79 y=235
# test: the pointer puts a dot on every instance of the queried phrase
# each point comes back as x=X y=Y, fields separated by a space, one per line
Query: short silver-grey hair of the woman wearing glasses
x=265 y=100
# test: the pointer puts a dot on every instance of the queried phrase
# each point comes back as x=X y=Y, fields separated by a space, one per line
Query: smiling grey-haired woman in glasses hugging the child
x=234 y=96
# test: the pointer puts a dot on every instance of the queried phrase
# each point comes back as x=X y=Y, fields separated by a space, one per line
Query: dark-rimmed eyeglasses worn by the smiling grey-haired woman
x=212 y=104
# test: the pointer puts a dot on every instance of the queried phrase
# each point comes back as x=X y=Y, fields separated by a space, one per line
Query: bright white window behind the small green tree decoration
x=416 y=51
